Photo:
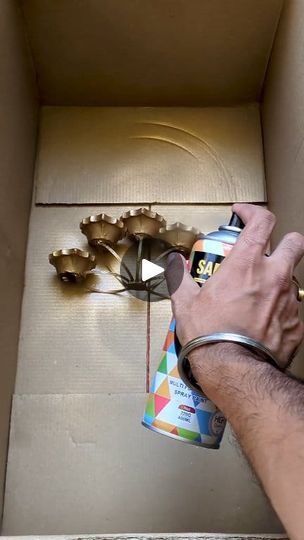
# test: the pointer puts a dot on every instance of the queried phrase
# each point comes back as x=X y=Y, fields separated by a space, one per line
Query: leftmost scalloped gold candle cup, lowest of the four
x=72 y=264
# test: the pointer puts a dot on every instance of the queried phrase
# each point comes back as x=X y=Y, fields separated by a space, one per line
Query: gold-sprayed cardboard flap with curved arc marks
x=148 y=155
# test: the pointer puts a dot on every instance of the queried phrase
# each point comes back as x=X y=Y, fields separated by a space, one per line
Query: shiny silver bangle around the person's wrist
x=252 y=344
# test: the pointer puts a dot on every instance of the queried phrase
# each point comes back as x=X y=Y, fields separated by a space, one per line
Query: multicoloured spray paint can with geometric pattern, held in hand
x=176 y=405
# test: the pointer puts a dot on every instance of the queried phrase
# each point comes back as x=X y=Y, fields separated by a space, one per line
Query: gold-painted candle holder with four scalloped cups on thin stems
x=105 y=234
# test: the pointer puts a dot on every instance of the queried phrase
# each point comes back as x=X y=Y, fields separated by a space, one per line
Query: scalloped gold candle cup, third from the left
x=142 y=222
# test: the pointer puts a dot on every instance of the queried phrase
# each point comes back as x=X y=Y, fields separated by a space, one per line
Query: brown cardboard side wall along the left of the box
x=18 y=123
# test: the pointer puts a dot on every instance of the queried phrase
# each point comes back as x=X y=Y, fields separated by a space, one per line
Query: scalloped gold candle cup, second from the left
x=102 y=229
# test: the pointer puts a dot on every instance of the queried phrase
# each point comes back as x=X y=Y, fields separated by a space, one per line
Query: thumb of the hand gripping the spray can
x=181 y=285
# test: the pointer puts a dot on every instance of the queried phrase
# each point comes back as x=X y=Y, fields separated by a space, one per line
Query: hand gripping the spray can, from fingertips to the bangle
x=250 y=294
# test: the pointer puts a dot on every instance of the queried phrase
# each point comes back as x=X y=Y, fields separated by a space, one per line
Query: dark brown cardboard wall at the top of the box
x=143 y=52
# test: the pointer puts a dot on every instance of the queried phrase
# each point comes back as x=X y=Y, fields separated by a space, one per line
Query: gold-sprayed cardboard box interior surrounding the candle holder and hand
x=219 y=121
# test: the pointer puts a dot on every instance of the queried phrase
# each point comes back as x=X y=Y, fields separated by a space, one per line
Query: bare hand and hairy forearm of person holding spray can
x=253 y=295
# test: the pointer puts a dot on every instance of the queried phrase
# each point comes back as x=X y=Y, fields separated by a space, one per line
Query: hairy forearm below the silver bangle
x=266 y=411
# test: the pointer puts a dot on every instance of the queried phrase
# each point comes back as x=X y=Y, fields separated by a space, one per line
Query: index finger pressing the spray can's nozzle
x=259 y=224
